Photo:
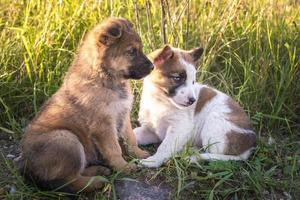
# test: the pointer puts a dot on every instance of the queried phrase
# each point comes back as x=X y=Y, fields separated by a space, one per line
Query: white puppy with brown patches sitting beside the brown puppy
x=175 y=109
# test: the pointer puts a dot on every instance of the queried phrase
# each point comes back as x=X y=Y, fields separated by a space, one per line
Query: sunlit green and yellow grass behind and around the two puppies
x=252 y=52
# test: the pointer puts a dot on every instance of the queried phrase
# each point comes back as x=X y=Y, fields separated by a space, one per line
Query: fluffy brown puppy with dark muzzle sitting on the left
x=78 y=127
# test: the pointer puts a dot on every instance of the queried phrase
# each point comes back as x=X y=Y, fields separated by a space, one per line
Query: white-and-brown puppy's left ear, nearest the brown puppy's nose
x=160 y=56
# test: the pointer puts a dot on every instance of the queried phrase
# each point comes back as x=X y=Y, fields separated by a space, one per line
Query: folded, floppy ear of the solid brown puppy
x=110 y=33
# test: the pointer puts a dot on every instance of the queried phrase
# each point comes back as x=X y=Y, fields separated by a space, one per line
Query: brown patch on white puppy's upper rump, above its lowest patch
x=237 y=115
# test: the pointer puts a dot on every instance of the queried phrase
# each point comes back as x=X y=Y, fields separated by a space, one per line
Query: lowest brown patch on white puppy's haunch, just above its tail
x=238 y=143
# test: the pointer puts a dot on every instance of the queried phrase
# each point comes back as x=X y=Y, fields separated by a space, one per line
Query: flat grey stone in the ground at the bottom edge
x=133 y=189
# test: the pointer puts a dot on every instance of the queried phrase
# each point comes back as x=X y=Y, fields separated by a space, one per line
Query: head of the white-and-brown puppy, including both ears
x=175 y=74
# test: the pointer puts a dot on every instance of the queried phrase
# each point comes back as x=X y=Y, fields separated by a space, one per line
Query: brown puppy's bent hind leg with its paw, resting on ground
x=55 y=160
